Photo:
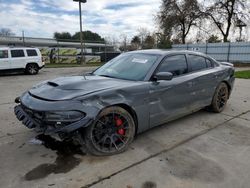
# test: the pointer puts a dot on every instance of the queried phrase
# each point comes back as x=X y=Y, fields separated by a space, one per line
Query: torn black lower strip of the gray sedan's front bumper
x=52 y=130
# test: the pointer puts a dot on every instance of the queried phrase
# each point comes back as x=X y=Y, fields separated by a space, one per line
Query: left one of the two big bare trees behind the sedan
x=178 y=16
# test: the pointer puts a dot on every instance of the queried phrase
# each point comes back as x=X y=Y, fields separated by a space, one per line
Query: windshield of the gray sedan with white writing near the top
x=128 y=66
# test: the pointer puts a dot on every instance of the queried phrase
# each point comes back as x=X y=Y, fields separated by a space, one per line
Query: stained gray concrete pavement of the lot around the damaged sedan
x=200 y=150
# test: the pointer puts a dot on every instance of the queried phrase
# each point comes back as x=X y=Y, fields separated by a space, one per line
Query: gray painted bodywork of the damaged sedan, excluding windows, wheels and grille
x=151 y=102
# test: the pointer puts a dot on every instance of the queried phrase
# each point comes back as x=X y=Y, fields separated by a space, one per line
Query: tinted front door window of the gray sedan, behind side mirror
x=175 y=64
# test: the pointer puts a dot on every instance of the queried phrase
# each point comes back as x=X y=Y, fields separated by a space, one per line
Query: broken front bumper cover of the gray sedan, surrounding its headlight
x=33 y=105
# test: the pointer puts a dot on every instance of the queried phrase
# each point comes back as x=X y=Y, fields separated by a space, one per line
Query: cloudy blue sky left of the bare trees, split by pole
x=109 y=18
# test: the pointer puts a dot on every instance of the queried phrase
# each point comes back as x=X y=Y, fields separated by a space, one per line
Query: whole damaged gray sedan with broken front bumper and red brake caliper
x=104 y=110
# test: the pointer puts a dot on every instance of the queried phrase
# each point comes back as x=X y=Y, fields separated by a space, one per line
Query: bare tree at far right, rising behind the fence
x=225 y=14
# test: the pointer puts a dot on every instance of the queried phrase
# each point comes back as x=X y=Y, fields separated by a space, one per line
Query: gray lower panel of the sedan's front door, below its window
x=170 y=98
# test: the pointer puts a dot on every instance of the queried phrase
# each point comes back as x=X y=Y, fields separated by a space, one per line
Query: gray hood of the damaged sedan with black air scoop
x=66 y=88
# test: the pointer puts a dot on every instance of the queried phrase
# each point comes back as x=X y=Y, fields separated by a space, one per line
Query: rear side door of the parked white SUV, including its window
x=18 y=59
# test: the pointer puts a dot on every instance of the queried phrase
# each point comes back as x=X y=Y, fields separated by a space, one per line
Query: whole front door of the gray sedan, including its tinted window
x=170 y=99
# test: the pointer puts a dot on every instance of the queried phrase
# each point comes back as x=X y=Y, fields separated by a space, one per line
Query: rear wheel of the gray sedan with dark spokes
x=220 y=98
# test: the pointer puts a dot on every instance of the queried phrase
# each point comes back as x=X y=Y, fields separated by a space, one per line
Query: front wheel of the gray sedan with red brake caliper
x=111 y=133
